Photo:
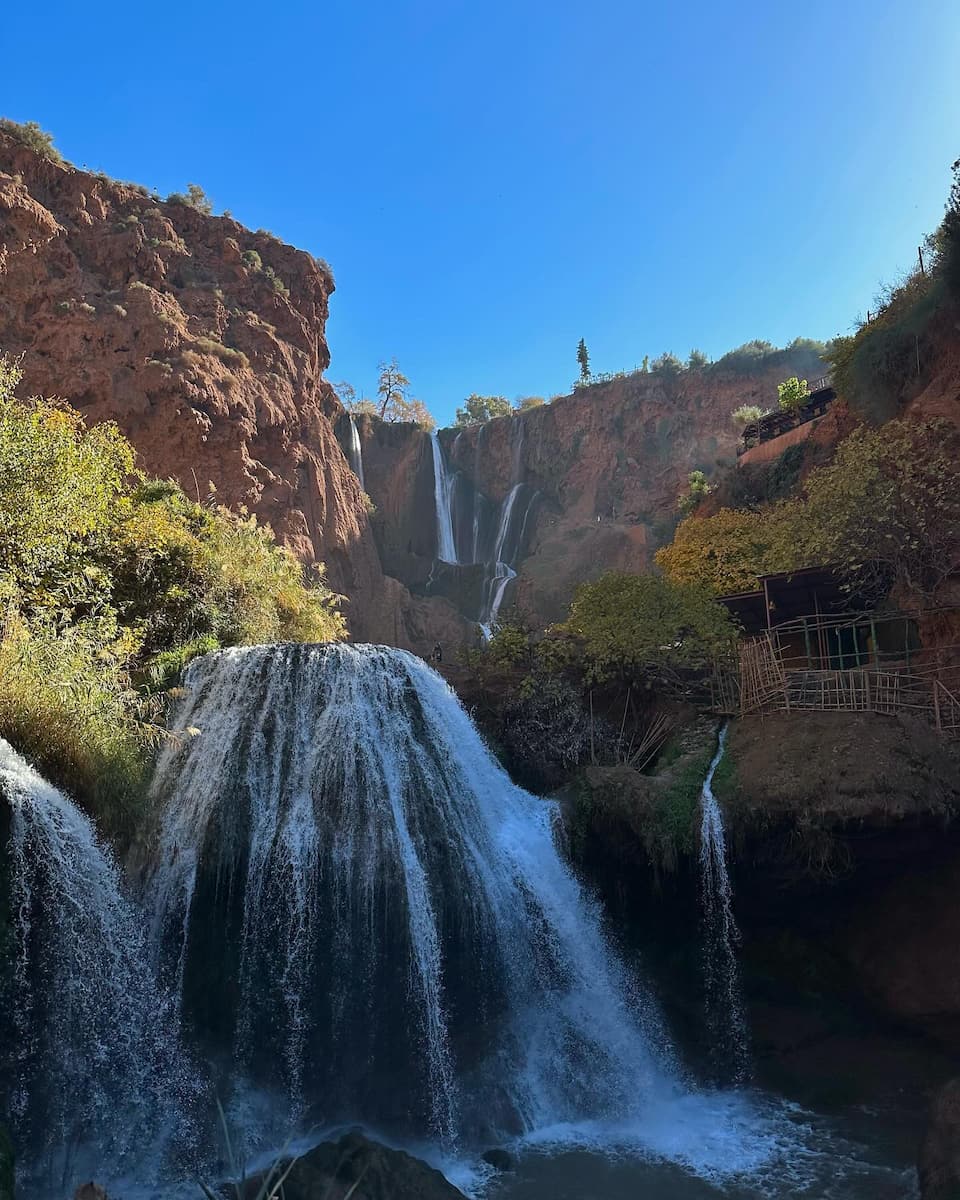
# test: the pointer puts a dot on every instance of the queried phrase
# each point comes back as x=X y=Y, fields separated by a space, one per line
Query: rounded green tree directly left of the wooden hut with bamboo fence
x=643 y=627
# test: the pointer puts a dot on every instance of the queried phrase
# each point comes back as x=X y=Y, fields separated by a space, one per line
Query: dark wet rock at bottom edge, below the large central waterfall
x=363 y=1169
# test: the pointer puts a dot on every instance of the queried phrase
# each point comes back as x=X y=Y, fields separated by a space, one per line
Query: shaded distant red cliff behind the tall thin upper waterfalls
x=596 y=478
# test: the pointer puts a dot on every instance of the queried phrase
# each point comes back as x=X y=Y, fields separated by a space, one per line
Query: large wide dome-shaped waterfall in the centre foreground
x=394 y=931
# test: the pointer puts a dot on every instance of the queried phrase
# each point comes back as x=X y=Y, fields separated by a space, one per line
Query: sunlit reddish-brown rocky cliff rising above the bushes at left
x=206 y=344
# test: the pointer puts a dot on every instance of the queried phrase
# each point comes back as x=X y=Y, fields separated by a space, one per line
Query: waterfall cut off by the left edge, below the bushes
x=100 y=1084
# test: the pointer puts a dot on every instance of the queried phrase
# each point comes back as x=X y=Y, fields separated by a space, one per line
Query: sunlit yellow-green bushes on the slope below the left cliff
x=110 y=584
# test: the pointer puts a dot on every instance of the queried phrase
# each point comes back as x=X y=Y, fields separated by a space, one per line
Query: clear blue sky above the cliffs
x=494 y=181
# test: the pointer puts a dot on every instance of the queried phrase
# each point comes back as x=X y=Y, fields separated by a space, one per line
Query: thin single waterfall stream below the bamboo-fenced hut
x=725 y=1015
